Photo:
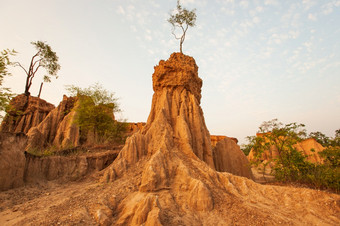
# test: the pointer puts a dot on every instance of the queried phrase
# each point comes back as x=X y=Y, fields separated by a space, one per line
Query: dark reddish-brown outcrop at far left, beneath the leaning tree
x=24 y=113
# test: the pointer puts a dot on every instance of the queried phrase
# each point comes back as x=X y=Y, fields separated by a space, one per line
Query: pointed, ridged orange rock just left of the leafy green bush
x=57 y=128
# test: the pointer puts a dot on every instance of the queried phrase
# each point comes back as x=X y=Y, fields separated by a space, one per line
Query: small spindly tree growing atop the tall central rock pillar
x=183 y=19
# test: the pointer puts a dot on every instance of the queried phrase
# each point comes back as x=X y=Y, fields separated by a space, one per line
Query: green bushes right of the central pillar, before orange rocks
x=290 y=164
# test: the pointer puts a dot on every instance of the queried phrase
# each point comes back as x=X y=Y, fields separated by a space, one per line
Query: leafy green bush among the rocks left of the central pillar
x=95 y=114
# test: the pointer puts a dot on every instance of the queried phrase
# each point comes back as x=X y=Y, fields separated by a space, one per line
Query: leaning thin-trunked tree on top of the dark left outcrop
x=44 y=58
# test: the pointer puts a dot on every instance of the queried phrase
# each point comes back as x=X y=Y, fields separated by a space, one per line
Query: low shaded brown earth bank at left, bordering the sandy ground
x=18 y=167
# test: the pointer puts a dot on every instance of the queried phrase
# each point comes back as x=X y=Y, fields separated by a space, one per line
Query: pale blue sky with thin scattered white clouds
x=259 y=59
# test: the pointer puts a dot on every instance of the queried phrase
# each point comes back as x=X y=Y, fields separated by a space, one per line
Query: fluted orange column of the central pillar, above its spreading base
x=176 y=118
